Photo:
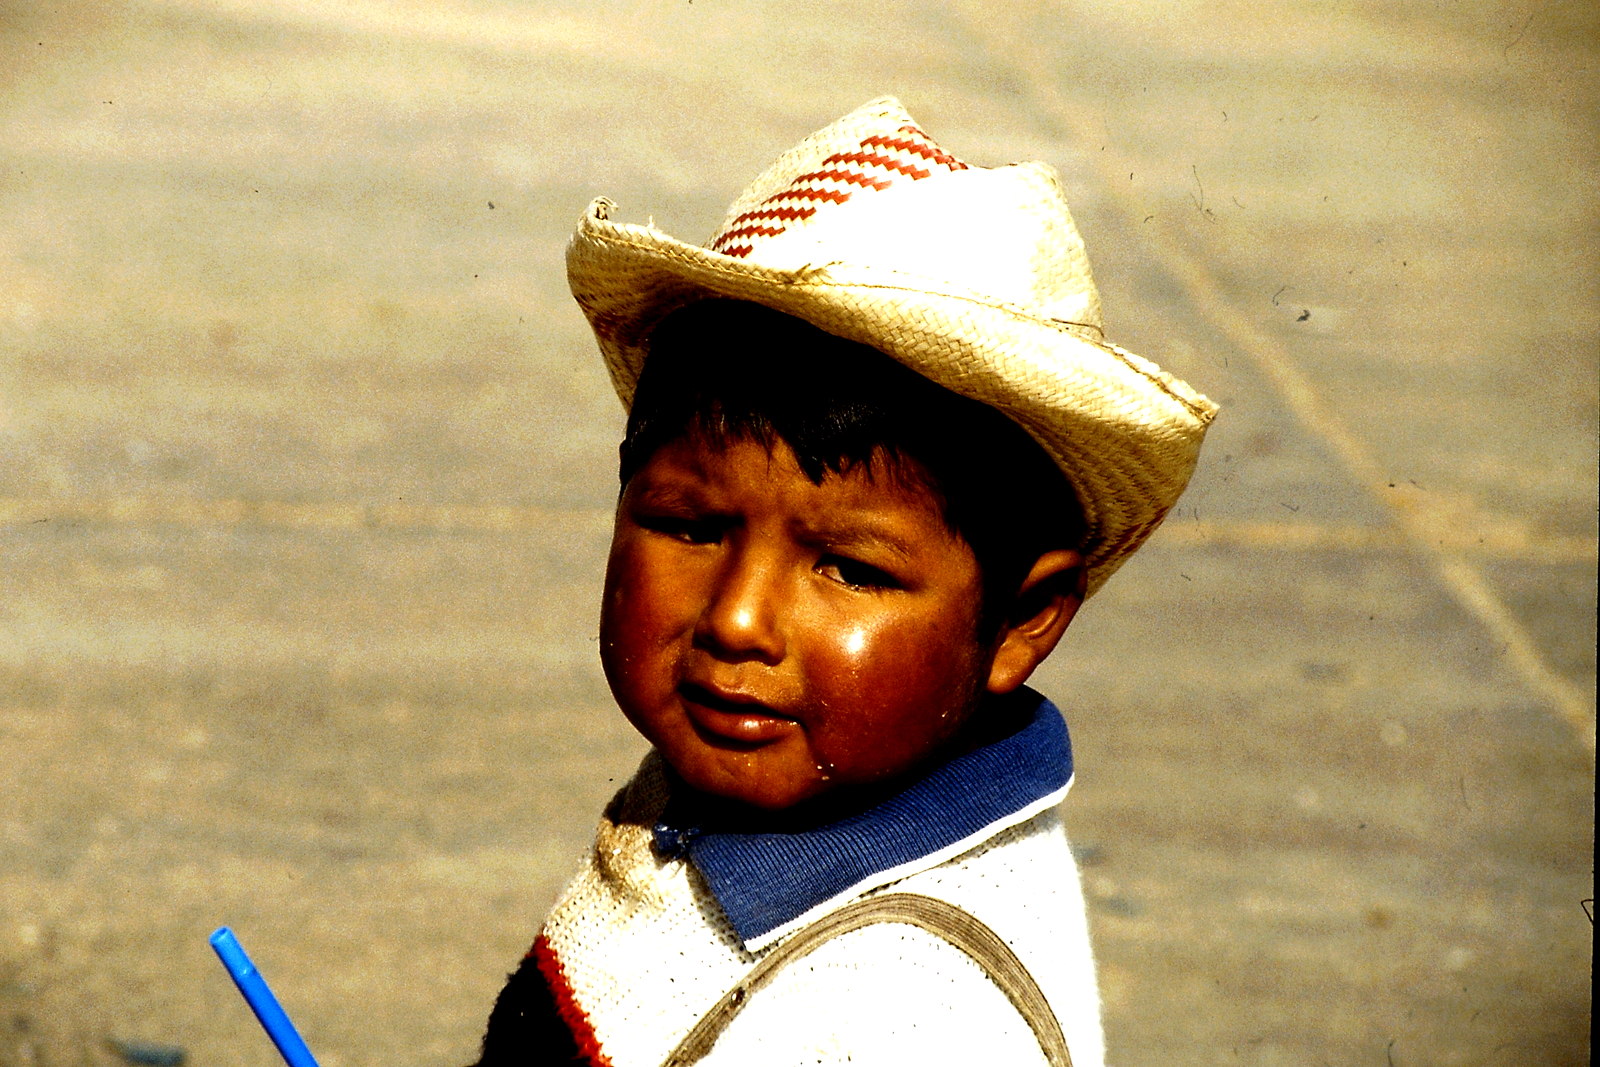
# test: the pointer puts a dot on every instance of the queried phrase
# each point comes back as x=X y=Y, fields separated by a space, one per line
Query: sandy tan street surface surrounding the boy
x=306 y=470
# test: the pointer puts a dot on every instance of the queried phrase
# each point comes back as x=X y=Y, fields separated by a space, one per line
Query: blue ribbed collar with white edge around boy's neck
x=772 y=884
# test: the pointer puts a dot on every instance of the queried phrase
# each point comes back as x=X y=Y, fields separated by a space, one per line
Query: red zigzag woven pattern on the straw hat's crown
x=878 y=164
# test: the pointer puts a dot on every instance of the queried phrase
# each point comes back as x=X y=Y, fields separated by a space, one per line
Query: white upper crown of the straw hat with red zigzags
x=874 y=194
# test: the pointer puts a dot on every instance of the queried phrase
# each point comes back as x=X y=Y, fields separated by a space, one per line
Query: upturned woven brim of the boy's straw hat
x=1126 y=434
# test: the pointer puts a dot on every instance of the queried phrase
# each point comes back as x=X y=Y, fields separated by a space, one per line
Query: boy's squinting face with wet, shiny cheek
x=778 y=639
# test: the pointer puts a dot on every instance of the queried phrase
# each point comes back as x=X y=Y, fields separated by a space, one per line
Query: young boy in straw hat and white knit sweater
x=878 y=455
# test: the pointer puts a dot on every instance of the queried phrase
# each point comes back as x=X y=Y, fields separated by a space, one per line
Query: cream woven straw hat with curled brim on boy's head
x=972 y=278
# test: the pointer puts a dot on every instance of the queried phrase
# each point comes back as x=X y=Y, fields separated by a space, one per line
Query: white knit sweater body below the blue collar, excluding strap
x=639 y=949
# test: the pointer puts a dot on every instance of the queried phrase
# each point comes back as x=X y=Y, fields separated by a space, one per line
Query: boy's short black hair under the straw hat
x=729 y=370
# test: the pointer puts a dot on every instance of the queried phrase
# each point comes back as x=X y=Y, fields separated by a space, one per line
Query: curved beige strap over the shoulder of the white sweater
x=940 y=919
